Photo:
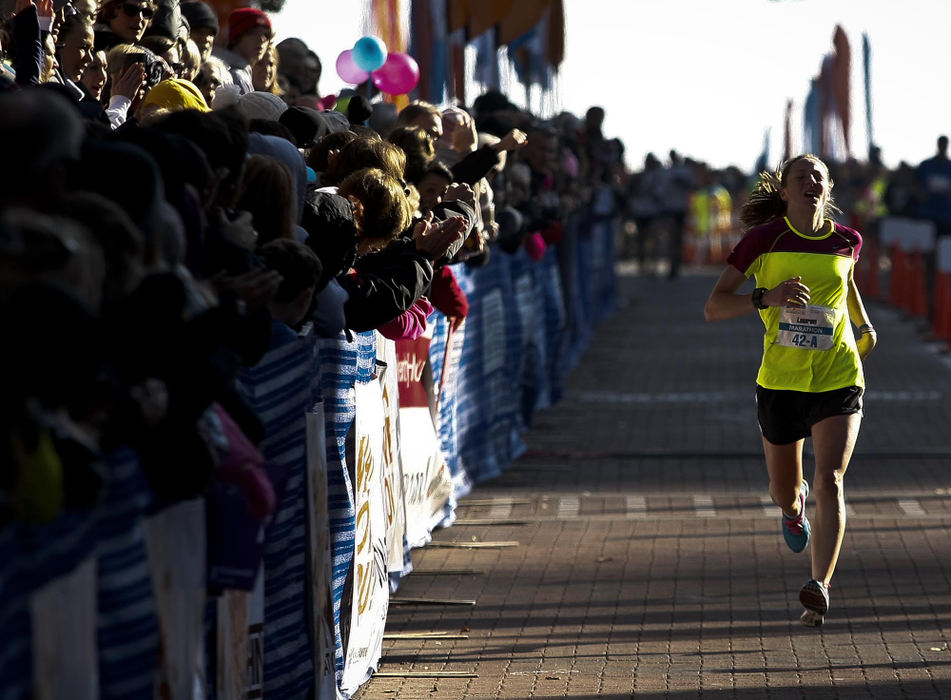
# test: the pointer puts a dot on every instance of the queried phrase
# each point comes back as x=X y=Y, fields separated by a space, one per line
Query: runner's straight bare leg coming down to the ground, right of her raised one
x=833 y=440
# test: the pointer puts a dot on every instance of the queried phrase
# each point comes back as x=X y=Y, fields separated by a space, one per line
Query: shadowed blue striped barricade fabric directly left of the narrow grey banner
x=281 y=389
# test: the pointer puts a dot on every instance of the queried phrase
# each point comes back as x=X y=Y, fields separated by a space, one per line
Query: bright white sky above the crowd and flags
x=710 y=78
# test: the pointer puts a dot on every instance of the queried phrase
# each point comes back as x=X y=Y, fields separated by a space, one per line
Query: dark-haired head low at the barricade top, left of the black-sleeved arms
x=301 y=271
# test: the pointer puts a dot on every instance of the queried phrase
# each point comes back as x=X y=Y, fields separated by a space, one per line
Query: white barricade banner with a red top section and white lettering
x=427 y=483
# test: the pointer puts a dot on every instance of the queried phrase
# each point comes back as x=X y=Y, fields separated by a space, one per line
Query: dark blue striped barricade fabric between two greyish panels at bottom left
x=127 y=626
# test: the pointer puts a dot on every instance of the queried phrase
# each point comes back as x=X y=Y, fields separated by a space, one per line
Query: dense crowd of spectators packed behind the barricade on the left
x=171 y=200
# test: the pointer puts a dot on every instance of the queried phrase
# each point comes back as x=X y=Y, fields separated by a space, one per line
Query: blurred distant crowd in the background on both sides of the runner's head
x=667 y=208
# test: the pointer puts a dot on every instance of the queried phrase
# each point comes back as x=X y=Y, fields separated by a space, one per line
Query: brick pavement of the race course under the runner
x=649 y=561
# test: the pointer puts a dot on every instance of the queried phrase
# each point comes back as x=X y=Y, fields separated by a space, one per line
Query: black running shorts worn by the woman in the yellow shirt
x=788 y=416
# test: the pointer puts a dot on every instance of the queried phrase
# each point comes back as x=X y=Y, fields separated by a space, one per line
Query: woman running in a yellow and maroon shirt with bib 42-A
x=810 y=381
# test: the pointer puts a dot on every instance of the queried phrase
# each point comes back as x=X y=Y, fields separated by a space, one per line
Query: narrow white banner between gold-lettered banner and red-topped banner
x=392 y=460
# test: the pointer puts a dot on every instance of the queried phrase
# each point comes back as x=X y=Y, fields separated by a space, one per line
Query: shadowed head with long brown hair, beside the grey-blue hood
x=267 y=191
